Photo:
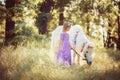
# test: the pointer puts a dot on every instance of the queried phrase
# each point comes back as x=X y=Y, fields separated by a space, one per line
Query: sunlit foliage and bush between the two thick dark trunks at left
x=24 y=18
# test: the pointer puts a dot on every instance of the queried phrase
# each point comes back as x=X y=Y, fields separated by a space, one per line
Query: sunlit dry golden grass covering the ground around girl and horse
x=33 y=62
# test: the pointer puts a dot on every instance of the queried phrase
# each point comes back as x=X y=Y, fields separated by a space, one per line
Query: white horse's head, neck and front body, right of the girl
x=82 y=46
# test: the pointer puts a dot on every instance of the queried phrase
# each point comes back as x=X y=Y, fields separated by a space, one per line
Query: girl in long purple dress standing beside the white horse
x=64 y=50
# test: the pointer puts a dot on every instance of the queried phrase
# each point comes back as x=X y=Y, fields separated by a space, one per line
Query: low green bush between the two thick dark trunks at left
x=26 y=35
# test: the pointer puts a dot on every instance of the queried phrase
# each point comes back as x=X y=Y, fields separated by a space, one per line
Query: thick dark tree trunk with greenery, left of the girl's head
x=42 y=19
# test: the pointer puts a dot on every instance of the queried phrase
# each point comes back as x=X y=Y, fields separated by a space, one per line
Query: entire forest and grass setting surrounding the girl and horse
x=25 y=34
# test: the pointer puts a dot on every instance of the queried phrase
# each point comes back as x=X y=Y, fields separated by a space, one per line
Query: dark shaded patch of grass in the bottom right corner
x=103 y=75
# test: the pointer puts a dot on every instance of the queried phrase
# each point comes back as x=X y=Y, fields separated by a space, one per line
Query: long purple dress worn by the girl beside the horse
x=64 y=54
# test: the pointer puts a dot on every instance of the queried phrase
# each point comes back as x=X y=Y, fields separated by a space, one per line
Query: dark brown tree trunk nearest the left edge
x=10 y=23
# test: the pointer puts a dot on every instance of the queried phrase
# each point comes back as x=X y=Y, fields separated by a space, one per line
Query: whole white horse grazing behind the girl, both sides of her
x=82 y=45
